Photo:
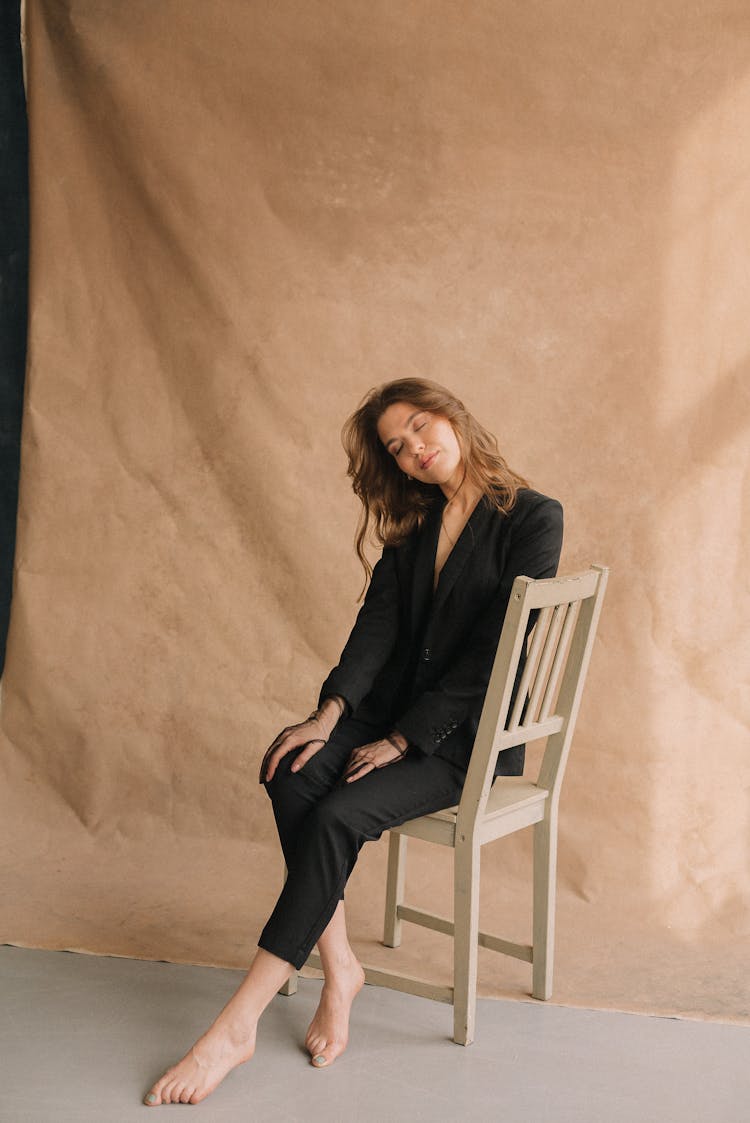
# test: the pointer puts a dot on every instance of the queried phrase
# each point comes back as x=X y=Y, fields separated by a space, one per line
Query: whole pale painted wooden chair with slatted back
x=546 y=705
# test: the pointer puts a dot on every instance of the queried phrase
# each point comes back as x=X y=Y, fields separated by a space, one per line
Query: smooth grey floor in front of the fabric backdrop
x=83 y=1037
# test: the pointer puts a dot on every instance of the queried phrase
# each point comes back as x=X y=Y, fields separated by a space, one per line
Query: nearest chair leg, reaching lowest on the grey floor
x=467 y=936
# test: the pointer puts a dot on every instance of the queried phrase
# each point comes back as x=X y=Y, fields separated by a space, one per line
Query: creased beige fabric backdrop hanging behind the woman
x=244 y=216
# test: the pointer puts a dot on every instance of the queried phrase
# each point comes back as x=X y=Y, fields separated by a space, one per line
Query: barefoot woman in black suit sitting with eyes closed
x=396 y=722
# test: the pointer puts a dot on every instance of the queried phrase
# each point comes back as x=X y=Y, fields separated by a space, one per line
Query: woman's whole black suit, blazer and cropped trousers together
x=416 y=663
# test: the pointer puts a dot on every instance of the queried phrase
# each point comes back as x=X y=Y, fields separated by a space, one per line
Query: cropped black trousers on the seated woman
x=324 y=823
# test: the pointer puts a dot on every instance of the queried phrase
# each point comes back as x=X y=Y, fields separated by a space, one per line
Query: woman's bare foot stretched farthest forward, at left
x=205 y=1066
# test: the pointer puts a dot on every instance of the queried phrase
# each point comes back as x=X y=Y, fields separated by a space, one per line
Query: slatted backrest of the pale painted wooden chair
x=546 y=704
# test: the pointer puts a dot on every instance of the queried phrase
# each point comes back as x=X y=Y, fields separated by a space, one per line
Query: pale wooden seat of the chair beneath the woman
x=514 y=804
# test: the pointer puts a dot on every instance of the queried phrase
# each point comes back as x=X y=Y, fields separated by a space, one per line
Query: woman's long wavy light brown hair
x=394 y=506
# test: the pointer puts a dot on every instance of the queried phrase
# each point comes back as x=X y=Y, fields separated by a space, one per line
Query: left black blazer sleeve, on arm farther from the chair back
x=373 y=637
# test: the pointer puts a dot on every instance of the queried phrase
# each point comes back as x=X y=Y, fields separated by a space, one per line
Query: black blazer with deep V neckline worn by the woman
x=422 y=663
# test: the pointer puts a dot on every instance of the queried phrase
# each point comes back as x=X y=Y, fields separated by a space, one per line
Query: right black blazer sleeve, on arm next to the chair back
x=535 y=552
